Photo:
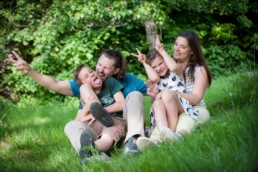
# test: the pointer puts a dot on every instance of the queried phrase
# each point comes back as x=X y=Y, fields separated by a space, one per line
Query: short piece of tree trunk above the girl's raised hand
x=151 y=33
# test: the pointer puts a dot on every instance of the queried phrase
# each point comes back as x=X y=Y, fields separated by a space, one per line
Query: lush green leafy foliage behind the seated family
x=56 y=36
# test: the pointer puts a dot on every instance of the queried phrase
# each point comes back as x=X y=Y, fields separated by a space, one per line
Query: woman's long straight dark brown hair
x=197 y=58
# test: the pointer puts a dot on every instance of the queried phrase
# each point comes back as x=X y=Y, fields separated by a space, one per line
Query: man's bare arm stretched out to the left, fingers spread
x=61 y=87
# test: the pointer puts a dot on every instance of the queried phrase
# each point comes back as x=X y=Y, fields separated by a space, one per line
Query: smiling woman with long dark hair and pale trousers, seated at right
x=190 y=65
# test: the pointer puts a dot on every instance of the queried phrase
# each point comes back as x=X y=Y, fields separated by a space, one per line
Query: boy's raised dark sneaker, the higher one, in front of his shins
x=101 y=114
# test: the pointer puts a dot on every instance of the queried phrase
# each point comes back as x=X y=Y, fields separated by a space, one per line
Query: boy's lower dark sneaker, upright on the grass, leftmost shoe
x=87 y=144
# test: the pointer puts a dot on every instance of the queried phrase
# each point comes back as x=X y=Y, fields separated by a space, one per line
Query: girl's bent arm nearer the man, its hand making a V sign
x=152 y=75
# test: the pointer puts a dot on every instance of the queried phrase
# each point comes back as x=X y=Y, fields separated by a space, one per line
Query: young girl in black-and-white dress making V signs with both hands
x=160 y=73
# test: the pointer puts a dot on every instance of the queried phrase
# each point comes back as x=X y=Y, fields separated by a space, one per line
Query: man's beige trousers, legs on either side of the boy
x=133 y=111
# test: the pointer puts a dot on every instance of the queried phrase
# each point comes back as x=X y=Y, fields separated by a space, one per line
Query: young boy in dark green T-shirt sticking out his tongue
x=98 y=98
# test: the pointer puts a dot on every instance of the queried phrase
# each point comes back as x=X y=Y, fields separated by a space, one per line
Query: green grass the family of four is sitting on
x=32 y=136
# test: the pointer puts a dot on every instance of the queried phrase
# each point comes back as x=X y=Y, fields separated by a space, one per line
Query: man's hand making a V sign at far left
x=20 y=64
